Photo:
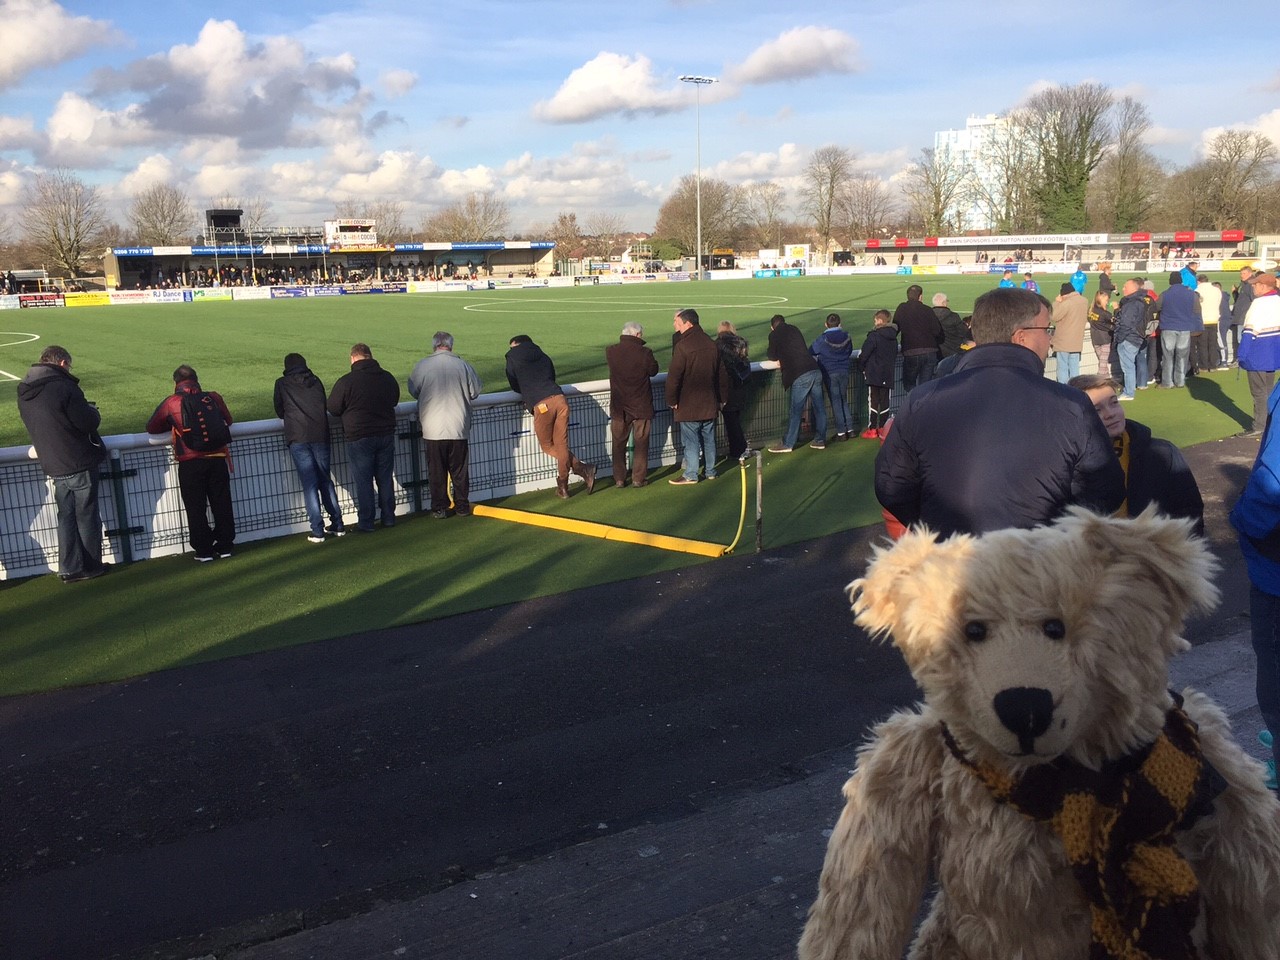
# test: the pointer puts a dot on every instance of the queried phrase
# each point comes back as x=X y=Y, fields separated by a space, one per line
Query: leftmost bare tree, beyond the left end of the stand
x=63 y=218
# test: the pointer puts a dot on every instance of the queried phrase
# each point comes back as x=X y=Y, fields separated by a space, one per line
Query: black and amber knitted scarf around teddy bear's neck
x=1118 y=828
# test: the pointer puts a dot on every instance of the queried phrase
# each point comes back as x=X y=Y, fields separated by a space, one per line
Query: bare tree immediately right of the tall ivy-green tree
x=1126 y=188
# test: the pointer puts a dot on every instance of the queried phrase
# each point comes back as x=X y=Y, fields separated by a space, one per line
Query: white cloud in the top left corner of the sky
x=43 y=34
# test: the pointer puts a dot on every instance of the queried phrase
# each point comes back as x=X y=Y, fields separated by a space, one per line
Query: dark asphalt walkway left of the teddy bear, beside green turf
x=289 y=798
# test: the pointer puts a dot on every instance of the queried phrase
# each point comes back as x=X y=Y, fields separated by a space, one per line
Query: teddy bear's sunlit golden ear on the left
x=904 y=580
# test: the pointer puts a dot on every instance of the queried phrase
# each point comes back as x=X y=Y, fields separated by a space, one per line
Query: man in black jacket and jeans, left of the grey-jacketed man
x=365 y=400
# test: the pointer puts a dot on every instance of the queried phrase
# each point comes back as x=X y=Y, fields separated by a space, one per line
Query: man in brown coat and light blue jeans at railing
x=697 y=387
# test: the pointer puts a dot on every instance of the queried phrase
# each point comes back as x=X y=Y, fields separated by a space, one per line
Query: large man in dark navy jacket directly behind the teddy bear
x=995 y=445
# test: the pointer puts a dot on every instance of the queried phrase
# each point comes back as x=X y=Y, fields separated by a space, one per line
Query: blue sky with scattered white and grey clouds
x=565 y=104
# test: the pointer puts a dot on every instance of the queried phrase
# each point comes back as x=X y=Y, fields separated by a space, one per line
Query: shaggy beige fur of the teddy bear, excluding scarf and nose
x=1121 y=591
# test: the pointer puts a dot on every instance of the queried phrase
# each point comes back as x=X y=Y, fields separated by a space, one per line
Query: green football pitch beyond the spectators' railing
x=125 y=355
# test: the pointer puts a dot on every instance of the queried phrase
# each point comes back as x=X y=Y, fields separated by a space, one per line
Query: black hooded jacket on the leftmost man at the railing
x=62 y=424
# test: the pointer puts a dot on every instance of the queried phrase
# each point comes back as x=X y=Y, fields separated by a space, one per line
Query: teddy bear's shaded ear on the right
x=1162 y=557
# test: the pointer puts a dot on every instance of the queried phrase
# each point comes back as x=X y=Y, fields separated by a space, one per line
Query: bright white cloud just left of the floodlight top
x=611 y=84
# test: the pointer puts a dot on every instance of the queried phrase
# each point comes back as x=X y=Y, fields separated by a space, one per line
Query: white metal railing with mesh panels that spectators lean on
x=144 y=516
